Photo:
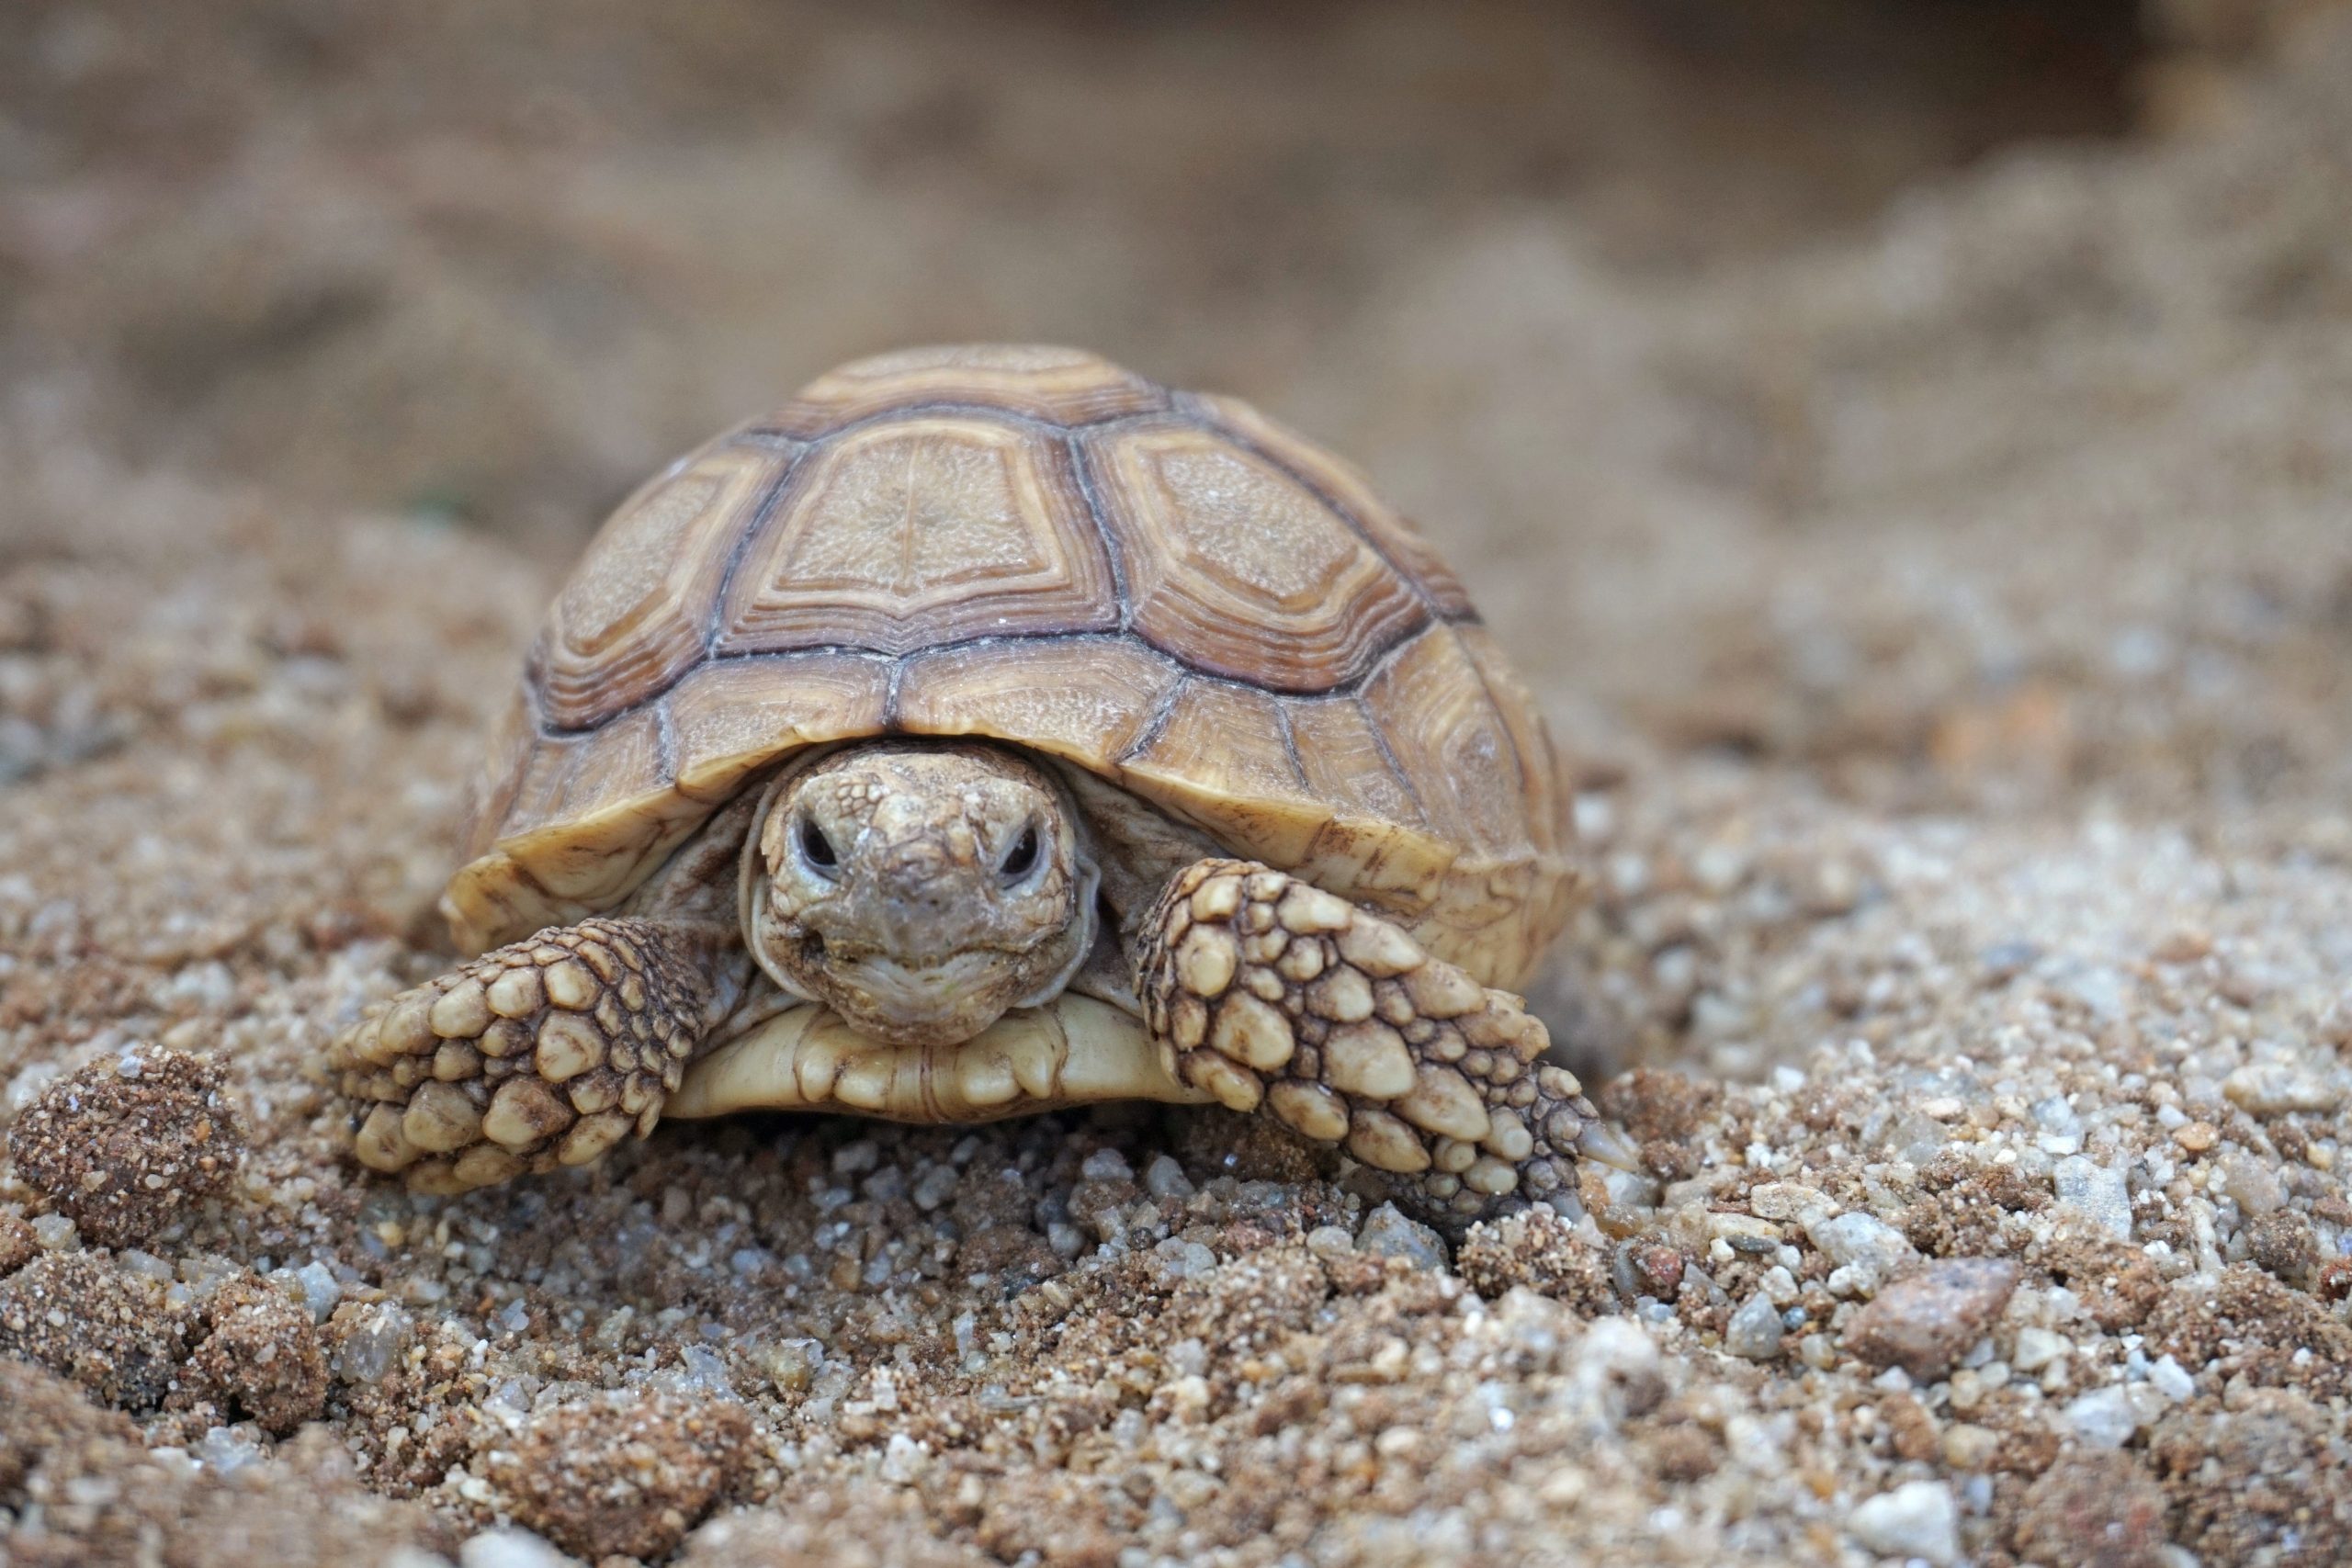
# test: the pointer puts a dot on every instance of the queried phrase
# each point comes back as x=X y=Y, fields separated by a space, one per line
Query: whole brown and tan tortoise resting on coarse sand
x=994 y=730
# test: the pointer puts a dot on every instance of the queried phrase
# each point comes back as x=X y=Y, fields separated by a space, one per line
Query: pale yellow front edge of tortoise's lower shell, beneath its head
x=1069 y=1052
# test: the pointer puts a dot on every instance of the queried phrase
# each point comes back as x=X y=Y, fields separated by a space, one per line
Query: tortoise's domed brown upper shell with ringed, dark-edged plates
x=1034 y=547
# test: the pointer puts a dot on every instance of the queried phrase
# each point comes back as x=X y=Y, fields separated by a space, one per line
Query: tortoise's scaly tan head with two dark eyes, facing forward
x=921 y=890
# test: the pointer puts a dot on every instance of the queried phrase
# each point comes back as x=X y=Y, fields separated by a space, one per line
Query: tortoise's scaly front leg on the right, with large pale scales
x=1278 y=996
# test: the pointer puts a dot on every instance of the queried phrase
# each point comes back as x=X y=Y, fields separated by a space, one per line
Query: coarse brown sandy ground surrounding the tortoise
x=1942 y=579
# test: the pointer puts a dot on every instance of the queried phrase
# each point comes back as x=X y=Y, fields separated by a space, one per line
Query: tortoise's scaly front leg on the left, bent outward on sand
x=535 y=1057
